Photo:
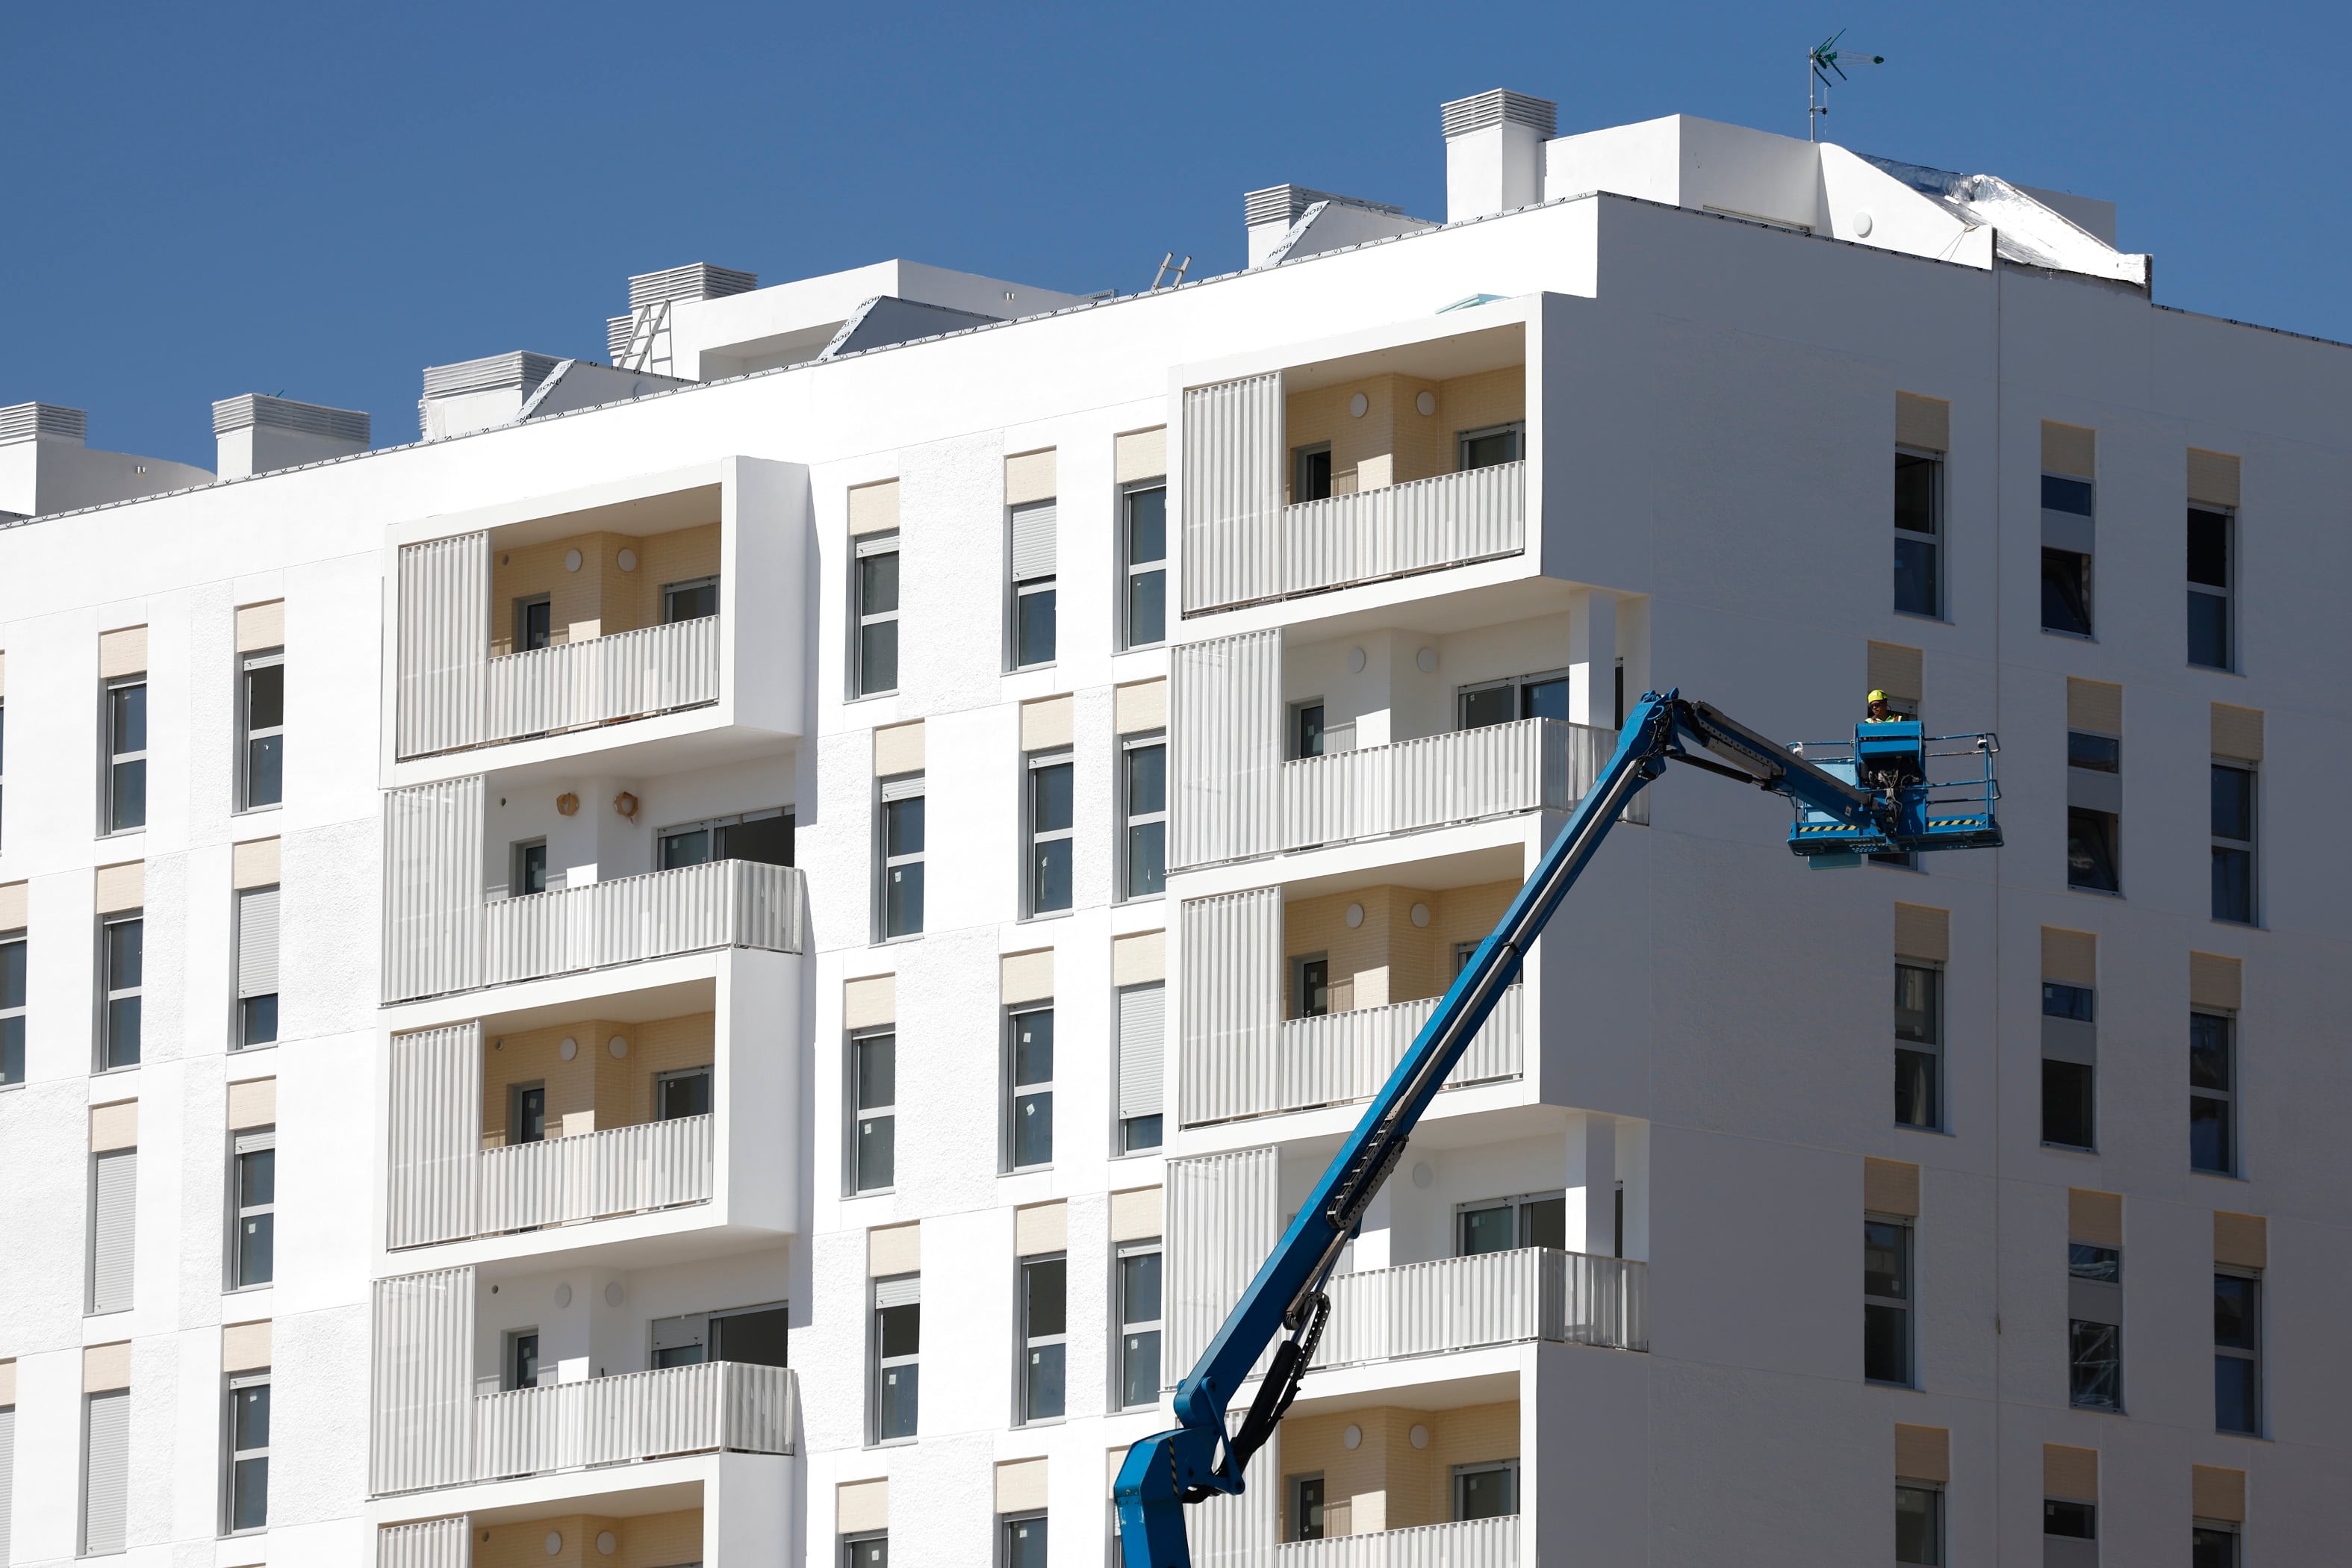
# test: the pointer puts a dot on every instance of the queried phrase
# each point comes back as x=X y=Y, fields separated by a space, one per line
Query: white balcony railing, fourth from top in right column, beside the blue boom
x=1492 y=1299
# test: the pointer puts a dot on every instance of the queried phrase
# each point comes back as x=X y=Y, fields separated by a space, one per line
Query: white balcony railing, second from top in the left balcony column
x=726 y=904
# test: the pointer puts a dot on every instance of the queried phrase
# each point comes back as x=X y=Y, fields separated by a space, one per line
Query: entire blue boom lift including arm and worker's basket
x=1873 y=796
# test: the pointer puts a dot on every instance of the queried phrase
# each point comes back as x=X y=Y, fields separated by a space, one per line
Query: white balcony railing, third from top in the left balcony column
x=596 y=1177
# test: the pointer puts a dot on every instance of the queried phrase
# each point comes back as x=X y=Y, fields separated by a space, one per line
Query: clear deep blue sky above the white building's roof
x=323 y=199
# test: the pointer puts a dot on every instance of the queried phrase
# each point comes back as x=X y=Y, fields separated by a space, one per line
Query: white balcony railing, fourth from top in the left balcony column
x=636 y=1416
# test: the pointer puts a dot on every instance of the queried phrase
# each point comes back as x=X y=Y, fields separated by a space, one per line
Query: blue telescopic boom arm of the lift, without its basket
x=1203 y=1456
